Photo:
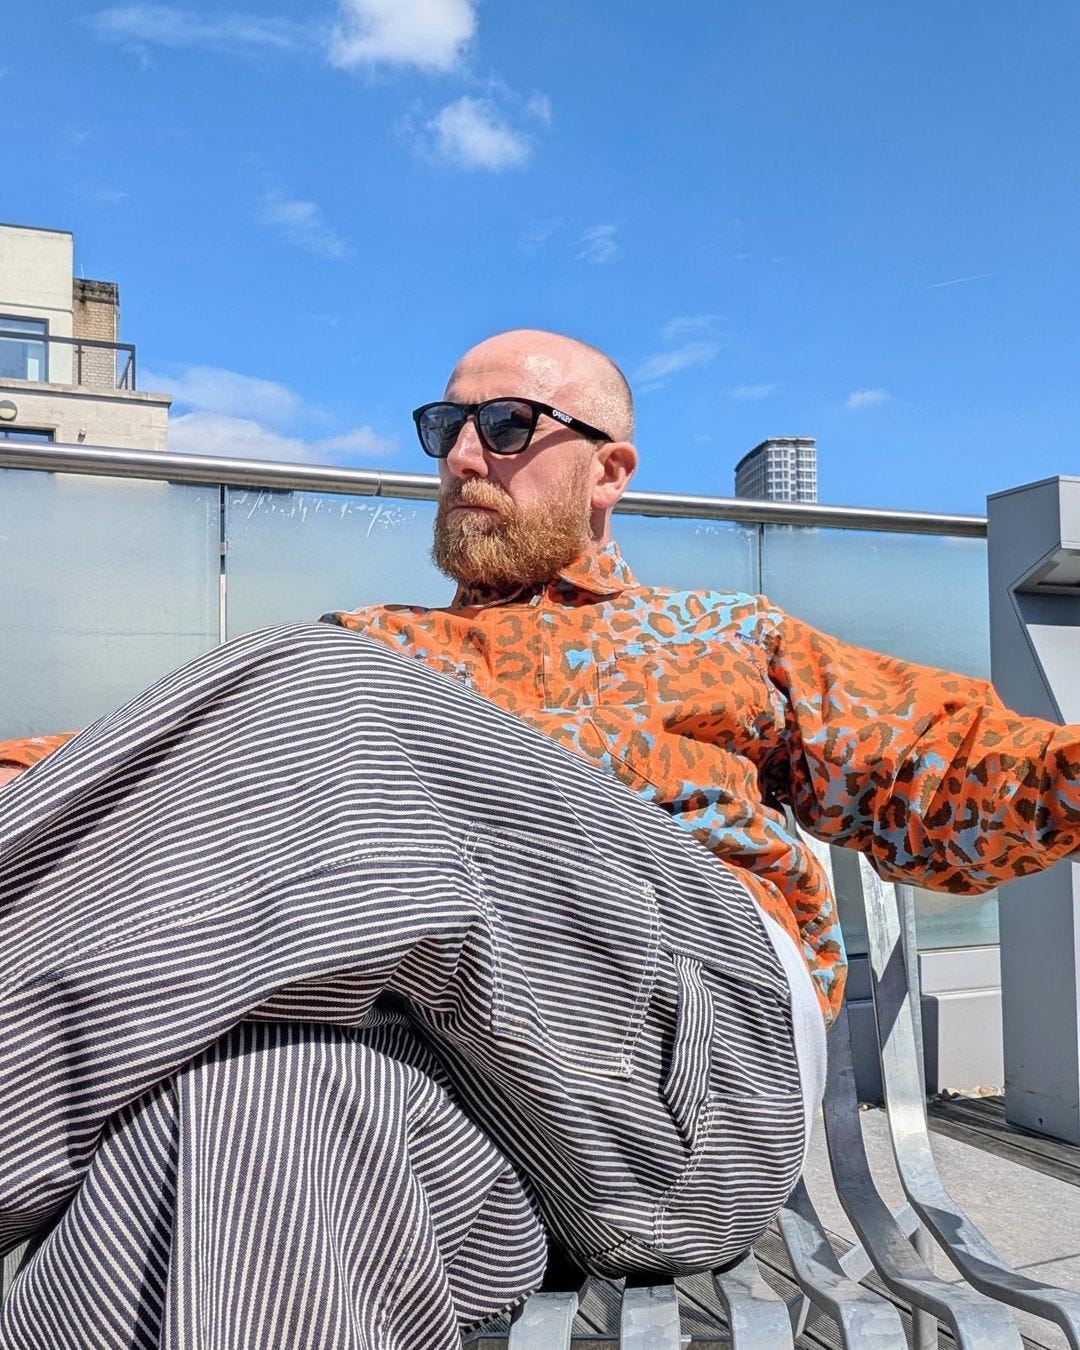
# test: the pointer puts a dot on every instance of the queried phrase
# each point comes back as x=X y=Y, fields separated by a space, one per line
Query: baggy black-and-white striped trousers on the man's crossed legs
x=330 y=990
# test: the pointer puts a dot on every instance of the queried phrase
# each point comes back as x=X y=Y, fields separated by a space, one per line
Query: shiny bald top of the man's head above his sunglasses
x=556 y=369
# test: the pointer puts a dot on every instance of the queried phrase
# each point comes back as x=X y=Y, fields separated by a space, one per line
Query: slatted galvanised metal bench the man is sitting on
x=897 y=1247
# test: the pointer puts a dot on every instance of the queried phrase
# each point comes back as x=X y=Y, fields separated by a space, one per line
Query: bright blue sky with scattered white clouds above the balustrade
x=854 y=222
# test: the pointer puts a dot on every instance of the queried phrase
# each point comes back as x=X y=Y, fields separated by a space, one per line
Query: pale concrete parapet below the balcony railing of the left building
x=129 y=421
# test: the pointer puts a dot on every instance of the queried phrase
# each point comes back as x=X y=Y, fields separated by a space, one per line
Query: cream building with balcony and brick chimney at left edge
x=64 y=373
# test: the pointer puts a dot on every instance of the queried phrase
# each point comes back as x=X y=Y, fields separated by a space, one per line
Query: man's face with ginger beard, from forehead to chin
x=512 y=520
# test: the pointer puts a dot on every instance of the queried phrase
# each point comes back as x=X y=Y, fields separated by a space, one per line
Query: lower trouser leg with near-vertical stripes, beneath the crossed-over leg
x=345 y=1160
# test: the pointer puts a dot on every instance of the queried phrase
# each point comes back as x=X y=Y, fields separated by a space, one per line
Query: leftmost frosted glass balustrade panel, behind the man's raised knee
x=106 y=585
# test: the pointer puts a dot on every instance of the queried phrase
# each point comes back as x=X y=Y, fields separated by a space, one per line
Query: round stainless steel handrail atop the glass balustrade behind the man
x=379 y=483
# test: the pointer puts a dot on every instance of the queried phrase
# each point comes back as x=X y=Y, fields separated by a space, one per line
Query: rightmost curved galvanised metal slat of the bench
x=966 y=1247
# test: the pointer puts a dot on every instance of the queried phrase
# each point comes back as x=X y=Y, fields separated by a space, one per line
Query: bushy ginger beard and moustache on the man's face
x=512 y=546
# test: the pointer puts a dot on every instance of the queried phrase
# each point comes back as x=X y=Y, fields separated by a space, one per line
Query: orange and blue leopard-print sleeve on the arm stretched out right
x=927 y=772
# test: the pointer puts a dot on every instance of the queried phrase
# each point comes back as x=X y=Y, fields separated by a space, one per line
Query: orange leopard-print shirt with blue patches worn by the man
x=723 y=711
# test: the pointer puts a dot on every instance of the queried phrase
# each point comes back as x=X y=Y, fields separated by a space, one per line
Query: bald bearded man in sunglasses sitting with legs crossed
x=329 y=975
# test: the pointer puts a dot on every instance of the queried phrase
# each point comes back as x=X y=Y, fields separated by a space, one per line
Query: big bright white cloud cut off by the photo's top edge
x=430 y=34
